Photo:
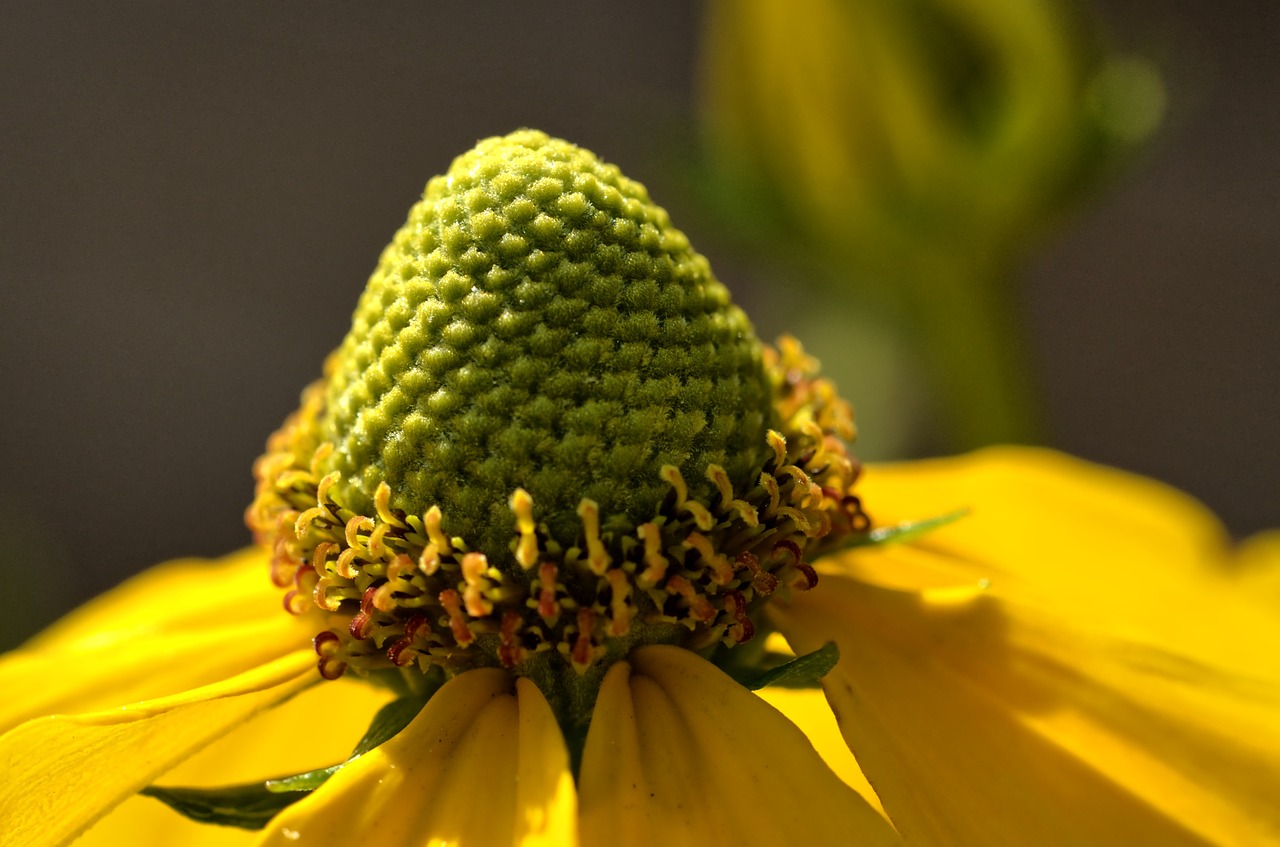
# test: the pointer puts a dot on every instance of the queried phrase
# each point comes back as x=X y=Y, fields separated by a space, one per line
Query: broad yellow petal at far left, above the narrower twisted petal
x=176 y=628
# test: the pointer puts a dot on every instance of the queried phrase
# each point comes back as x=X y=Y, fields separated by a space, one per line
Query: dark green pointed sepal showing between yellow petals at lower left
x=253 y=805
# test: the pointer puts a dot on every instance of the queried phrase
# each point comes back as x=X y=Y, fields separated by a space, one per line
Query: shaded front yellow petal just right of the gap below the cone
x=679 y=754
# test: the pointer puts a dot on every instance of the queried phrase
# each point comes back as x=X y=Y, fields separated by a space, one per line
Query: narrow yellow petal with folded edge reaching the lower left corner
x=62 y=773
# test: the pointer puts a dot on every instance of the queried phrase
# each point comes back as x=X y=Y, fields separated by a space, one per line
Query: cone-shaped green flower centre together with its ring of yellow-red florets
x=446 y=512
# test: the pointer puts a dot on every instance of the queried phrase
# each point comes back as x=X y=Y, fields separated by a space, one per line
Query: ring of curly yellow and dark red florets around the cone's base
x=401 y=593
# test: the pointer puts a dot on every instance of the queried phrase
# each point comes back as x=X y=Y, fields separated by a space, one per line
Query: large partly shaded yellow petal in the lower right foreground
x=989 y=721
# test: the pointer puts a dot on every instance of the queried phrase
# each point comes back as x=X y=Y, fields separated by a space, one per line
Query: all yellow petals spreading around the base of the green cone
x=1068 y=665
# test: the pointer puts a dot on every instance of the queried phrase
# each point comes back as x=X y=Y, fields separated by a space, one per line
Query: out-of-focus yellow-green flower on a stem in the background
x=913 y=154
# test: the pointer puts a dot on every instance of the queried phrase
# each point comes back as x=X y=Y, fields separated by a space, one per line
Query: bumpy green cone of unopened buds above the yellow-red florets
x=538 y=323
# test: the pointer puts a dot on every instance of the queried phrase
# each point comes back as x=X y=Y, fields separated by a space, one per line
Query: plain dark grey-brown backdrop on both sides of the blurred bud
x=194 y=195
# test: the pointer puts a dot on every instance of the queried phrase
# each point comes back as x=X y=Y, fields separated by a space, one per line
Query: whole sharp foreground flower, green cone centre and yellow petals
x=1071 y=663
